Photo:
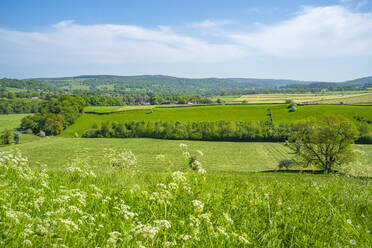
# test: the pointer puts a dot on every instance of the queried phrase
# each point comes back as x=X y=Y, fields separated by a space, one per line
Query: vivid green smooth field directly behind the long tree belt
x=280 y=114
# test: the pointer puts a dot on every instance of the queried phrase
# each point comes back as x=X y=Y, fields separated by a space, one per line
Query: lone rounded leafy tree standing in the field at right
x=324 y=142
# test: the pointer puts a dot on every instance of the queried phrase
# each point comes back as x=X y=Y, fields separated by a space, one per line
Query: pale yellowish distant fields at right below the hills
x=349 y=98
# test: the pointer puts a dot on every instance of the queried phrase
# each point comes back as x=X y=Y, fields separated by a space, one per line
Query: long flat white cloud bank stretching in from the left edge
x=68 y=42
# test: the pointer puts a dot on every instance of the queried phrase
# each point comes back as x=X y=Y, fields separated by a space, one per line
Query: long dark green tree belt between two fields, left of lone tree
x=217 y=131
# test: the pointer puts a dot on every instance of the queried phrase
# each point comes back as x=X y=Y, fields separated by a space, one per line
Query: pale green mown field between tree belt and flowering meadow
x=218 y=156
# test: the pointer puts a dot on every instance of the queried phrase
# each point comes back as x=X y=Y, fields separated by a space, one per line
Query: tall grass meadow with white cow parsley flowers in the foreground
x=117 y=204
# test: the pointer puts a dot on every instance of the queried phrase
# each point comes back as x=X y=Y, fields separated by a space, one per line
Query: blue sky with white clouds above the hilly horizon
x=299 y=39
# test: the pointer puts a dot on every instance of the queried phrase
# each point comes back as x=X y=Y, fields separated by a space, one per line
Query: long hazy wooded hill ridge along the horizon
x=178 y=85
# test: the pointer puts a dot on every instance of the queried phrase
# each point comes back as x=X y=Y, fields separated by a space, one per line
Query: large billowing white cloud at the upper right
x=317 y=32
